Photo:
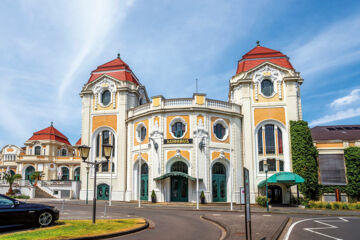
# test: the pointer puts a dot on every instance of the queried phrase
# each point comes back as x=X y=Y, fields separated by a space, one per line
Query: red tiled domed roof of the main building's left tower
x=117 y=69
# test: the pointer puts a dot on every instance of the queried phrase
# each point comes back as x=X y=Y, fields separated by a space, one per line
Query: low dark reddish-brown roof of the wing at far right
x=336 y=132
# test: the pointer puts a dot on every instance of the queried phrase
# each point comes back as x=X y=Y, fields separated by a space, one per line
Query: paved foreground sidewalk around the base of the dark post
x=264 y=226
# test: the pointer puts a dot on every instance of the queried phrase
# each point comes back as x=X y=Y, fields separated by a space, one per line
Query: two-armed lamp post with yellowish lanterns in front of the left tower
x=84 y=153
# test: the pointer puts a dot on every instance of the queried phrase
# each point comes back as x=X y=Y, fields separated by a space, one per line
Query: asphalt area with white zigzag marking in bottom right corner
x=324 y=228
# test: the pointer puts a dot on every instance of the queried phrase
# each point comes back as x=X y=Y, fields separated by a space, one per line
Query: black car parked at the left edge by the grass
x=15 y=213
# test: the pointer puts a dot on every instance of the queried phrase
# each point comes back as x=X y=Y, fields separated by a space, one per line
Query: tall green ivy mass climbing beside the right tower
x=304 y=158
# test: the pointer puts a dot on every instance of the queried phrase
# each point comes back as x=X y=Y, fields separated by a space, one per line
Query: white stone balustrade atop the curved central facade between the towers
x=198 y=102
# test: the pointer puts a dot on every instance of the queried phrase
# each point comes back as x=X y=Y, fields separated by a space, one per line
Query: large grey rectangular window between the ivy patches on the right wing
x=332 y=169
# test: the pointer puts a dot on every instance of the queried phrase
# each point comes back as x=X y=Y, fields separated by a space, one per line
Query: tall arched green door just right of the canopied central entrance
x=219 y=182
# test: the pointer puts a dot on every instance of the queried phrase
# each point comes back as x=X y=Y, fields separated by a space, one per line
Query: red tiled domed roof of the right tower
x=258 y=55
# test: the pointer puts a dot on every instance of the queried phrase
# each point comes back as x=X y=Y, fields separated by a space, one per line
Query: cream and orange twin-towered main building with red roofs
x=166 y=144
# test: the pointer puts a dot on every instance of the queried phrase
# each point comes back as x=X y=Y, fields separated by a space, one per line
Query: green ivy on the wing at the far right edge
x=352 y=160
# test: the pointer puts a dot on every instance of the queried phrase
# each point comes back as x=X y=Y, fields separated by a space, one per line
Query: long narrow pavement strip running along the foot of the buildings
x=210 y=207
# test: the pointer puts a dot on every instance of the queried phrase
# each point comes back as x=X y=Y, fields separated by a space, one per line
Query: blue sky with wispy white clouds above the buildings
x=48 y=49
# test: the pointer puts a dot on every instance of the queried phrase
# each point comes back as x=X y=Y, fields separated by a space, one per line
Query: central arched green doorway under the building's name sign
x=179 y=184
